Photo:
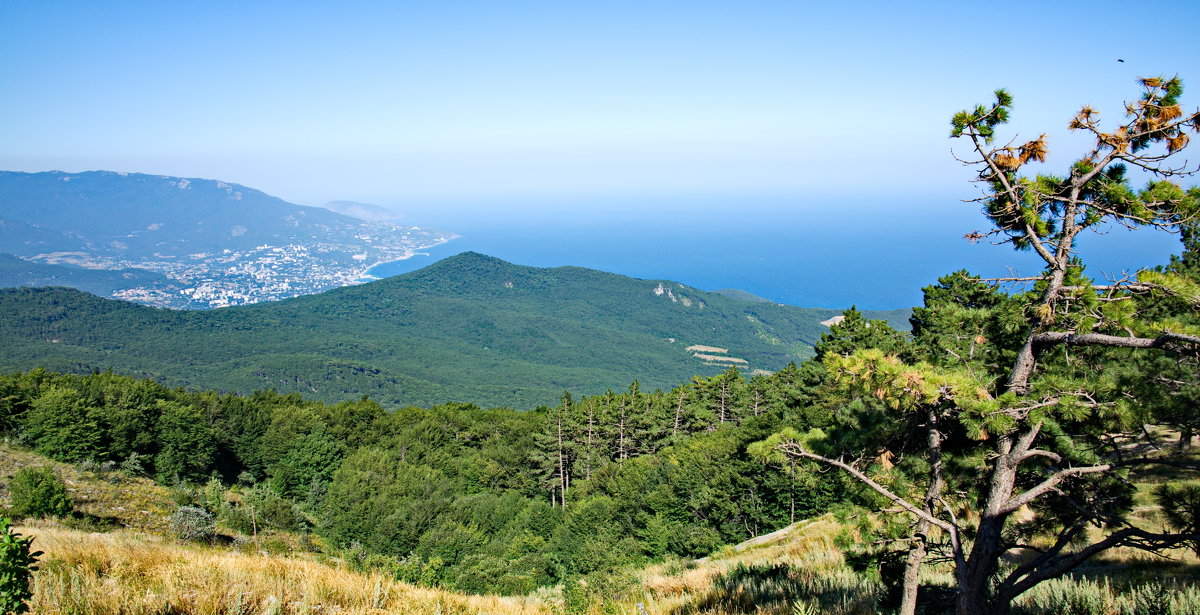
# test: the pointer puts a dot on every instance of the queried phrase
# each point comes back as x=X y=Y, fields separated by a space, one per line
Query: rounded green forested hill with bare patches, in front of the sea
x=470 y=329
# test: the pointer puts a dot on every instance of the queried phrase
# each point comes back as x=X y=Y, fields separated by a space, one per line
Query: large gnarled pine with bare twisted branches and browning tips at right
x=1036 y=383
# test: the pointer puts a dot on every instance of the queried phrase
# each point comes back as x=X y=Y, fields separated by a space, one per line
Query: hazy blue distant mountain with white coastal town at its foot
x=217 y=243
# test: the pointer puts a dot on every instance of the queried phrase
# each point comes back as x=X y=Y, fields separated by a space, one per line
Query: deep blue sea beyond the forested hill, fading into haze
x=811 y=253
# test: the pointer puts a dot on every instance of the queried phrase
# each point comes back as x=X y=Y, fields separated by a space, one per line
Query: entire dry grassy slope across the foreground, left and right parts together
x=139 y=571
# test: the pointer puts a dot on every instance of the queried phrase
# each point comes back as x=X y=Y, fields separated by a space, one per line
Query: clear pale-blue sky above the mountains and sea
x=404 y=104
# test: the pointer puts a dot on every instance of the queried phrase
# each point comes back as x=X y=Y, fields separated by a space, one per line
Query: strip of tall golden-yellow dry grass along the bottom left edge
x=127 y=574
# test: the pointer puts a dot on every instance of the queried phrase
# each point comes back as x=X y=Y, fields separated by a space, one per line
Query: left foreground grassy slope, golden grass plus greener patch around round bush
x=137 y=570
